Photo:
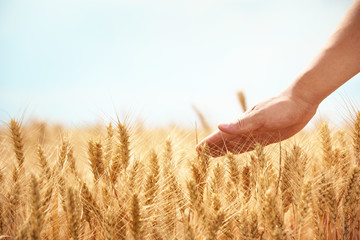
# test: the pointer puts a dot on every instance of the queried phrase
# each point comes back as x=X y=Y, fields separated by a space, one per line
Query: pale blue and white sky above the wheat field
x=80 y=61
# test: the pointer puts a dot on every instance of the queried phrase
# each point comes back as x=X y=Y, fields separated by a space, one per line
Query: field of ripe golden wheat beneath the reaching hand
x=126 y=181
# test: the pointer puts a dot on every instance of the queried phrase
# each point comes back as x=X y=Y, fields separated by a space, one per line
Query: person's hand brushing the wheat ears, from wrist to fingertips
x=273 y=120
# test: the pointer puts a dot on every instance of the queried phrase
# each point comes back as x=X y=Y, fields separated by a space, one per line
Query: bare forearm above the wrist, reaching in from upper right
x=335 y=64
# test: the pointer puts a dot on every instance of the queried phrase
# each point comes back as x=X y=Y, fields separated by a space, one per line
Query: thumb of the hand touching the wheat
x=243 y=125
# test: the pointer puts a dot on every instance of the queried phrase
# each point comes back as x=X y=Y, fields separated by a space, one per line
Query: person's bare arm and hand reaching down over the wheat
x=282 y=116
